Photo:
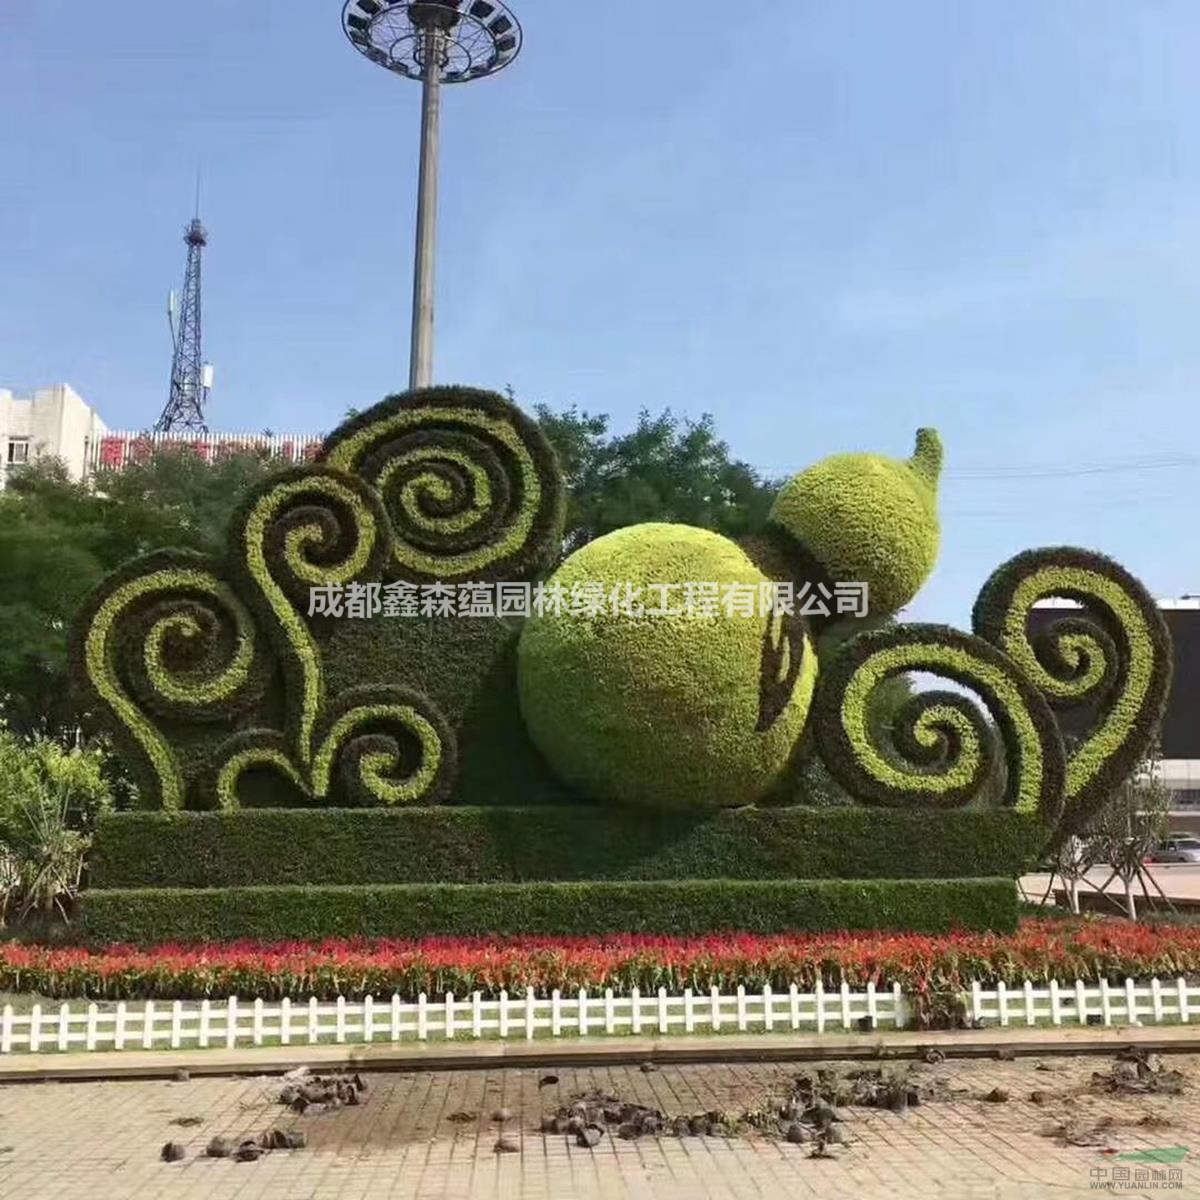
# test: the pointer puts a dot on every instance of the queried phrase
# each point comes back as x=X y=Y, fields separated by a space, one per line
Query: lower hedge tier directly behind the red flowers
x=687 y=907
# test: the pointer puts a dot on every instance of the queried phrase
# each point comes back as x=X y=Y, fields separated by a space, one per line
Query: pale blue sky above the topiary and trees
x=826 y=227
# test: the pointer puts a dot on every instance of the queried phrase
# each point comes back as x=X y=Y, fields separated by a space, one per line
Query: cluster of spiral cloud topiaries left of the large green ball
x=446 y=484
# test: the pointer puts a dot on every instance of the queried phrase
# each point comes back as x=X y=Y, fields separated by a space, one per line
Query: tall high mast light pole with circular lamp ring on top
x=437 y=43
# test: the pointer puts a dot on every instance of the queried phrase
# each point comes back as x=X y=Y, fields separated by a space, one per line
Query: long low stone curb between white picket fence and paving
x=131 y=1065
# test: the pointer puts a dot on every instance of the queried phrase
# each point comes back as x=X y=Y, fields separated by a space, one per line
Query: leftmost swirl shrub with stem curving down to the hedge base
x=167 y=640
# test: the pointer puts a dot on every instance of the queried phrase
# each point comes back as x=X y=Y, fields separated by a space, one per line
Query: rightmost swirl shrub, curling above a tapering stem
x=1113 y=657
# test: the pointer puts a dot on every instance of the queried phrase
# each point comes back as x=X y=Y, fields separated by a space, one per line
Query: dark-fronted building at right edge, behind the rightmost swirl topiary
x=1180 y=737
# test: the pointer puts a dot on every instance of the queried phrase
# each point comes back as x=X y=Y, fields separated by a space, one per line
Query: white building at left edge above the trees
x=53 y=423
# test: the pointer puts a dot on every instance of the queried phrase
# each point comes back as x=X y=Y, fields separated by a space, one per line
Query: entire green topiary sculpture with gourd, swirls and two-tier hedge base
x=663 y=668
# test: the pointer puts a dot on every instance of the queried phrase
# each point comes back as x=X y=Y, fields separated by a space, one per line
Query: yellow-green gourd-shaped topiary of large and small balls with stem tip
x=706 y=707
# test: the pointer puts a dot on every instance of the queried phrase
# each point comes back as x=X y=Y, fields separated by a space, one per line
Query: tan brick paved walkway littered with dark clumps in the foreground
x=103 y=1141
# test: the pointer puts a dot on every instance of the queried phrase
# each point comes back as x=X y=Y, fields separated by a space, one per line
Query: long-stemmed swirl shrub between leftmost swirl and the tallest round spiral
x=305 y=529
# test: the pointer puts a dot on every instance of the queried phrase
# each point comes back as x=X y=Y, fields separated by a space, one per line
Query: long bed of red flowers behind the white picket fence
x=1088 y=950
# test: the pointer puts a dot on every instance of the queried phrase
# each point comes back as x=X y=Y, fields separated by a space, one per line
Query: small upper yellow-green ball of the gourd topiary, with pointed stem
x=869 y=520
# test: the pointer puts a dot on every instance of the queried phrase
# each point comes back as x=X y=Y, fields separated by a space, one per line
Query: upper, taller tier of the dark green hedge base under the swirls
x=485 y=845
